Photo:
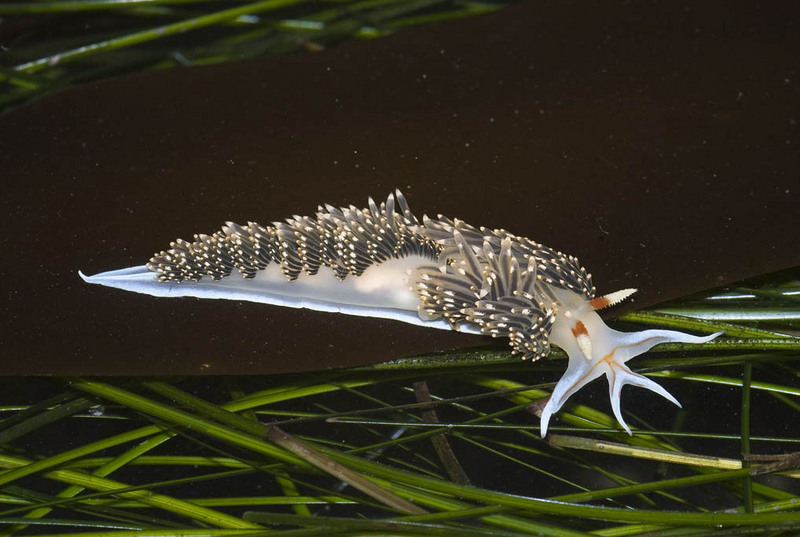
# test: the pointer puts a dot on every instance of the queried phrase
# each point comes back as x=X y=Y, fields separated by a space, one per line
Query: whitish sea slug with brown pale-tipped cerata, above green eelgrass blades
x=382 y=262
